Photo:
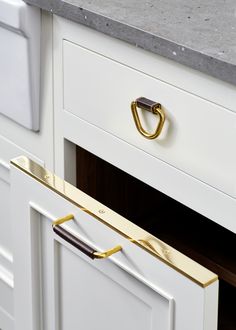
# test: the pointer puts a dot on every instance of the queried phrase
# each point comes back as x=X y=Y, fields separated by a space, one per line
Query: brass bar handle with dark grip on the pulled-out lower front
x=80 y=245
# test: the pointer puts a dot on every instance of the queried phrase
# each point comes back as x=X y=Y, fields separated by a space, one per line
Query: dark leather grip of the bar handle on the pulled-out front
x=74 y=241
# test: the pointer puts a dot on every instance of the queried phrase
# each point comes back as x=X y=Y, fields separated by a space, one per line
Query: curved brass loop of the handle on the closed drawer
x=156 y=110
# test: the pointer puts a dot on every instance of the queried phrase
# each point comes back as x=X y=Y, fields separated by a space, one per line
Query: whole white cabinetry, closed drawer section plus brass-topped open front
x=140 y=287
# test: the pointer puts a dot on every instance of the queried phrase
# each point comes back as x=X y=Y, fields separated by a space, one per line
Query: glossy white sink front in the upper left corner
x=20 y=27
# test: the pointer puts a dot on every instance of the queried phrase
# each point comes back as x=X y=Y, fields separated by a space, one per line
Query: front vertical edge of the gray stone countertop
x=179 y=53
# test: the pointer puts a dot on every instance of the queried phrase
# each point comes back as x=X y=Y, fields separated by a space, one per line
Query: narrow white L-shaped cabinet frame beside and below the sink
x=39 y=143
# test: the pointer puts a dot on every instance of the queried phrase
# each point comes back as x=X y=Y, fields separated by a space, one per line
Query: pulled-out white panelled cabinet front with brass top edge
x=145 y=286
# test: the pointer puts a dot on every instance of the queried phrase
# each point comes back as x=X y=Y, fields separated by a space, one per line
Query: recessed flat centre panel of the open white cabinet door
x=106 y=301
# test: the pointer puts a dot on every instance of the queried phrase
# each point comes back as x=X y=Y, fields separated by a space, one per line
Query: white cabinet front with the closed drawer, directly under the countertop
x=93 y=111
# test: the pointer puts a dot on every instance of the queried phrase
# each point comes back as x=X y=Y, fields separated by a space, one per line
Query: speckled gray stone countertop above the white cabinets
x=197 y=33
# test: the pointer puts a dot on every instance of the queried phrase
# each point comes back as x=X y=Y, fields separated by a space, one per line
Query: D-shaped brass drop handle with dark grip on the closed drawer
x=153 y=107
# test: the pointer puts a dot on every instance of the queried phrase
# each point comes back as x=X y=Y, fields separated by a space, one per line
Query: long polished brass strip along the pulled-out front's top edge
x=121 y=225
